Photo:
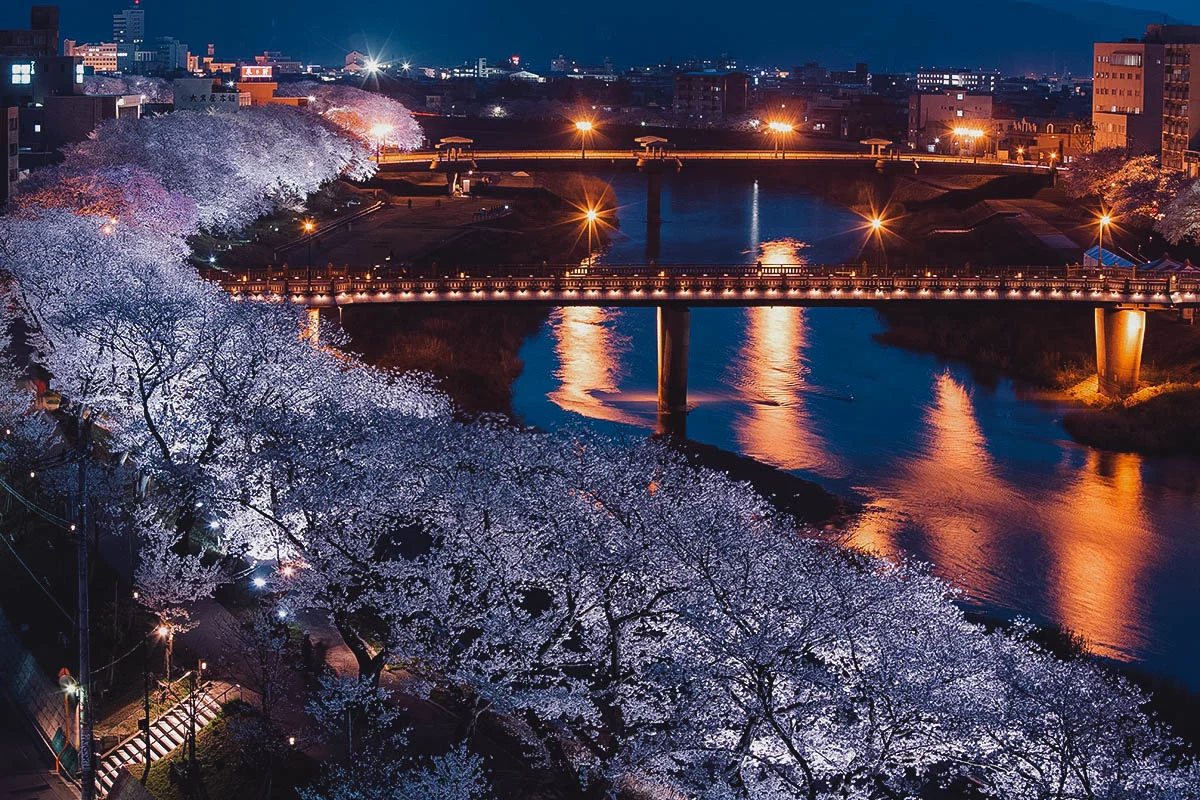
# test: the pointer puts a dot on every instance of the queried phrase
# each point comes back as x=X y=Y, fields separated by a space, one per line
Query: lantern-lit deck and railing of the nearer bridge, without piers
x=707 y=286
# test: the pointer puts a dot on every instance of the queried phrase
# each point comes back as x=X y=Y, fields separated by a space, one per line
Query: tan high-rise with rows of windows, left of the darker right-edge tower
x=1127 y=97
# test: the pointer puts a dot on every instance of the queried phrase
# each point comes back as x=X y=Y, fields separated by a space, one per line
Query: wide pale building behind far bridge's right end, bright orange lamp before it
x=937 y=123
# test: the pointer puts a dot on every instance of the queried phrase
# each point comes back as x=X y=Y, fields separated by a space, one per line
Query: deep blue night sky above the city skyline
x=1013 y=35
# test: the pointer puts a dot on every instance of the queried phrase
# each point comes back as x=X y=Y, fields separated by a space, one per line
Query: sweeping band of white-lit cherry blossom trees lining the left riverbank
x=644 y=625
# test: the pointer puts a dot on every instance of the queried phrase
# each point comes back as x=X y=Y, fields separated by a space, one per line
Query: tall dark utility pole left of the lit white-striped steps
x=83 y=534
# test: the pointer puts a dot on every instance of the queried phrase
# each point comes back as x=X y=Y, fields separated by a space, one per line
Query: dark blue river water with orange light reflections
x=977 y=478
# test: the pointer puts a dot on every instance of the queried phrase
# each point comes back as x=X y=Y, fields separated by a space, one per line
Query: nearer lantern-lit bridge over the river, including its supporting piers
x=1120 y=299
